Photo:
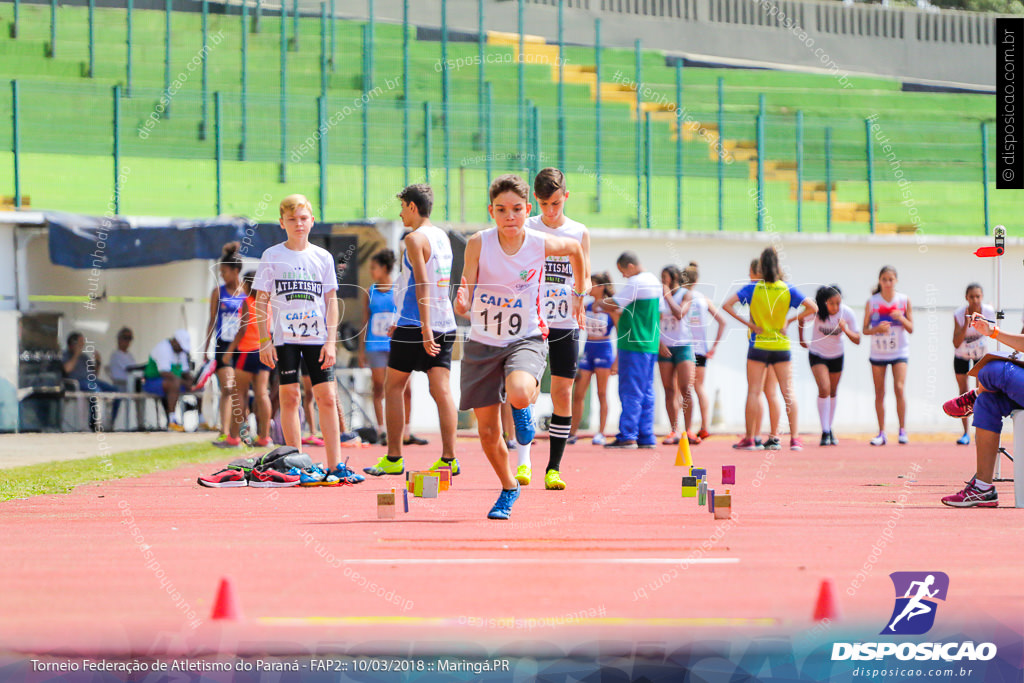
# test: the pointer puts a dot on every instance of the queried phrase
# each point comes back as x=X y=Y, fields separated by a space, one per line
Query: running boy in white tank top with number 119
x=506 y=354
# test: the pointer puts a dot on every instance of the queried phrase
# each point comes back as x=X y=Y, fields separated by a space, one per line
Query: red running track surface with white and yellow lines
x=131 y=568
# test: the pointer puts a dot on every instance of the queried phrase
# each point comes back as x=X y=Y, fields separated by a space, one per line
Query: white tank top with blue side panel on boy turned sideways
x=439 y=269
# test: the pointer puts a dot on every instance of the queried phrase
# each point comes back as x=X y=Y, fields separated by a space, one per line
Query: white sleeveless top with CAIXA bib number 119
x=506 y=301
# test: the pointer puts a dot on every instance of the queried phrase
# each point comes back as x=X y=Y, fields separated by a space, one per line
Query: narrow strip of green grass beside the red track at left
x=46 y=479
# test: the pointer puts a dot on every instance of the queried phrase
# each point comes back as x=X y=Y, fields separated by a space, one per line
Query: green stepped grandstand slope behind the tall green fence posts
x=935 y=138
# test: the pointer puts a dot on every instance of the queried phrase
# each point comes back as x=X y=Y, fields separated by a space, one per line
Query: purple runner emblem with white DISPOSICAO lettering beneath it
x=917 y=600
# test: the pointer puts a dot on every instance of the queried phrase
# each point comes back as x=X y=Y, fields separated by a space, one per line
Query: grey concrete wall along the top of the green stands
x=948 y=47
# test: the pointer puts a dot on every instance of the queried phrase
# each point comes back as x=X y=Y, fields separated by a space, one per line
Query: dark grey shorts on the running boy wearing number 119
x=485 y=369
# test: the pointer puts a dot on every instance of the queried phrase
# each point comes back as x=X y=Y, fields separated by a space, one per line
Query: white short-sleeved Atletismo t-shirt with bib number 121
x=297 y=283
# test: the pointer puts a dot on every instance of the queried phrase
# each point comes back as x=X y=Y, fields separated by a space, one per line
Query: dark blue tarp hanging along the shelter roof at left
x=92 y=242
